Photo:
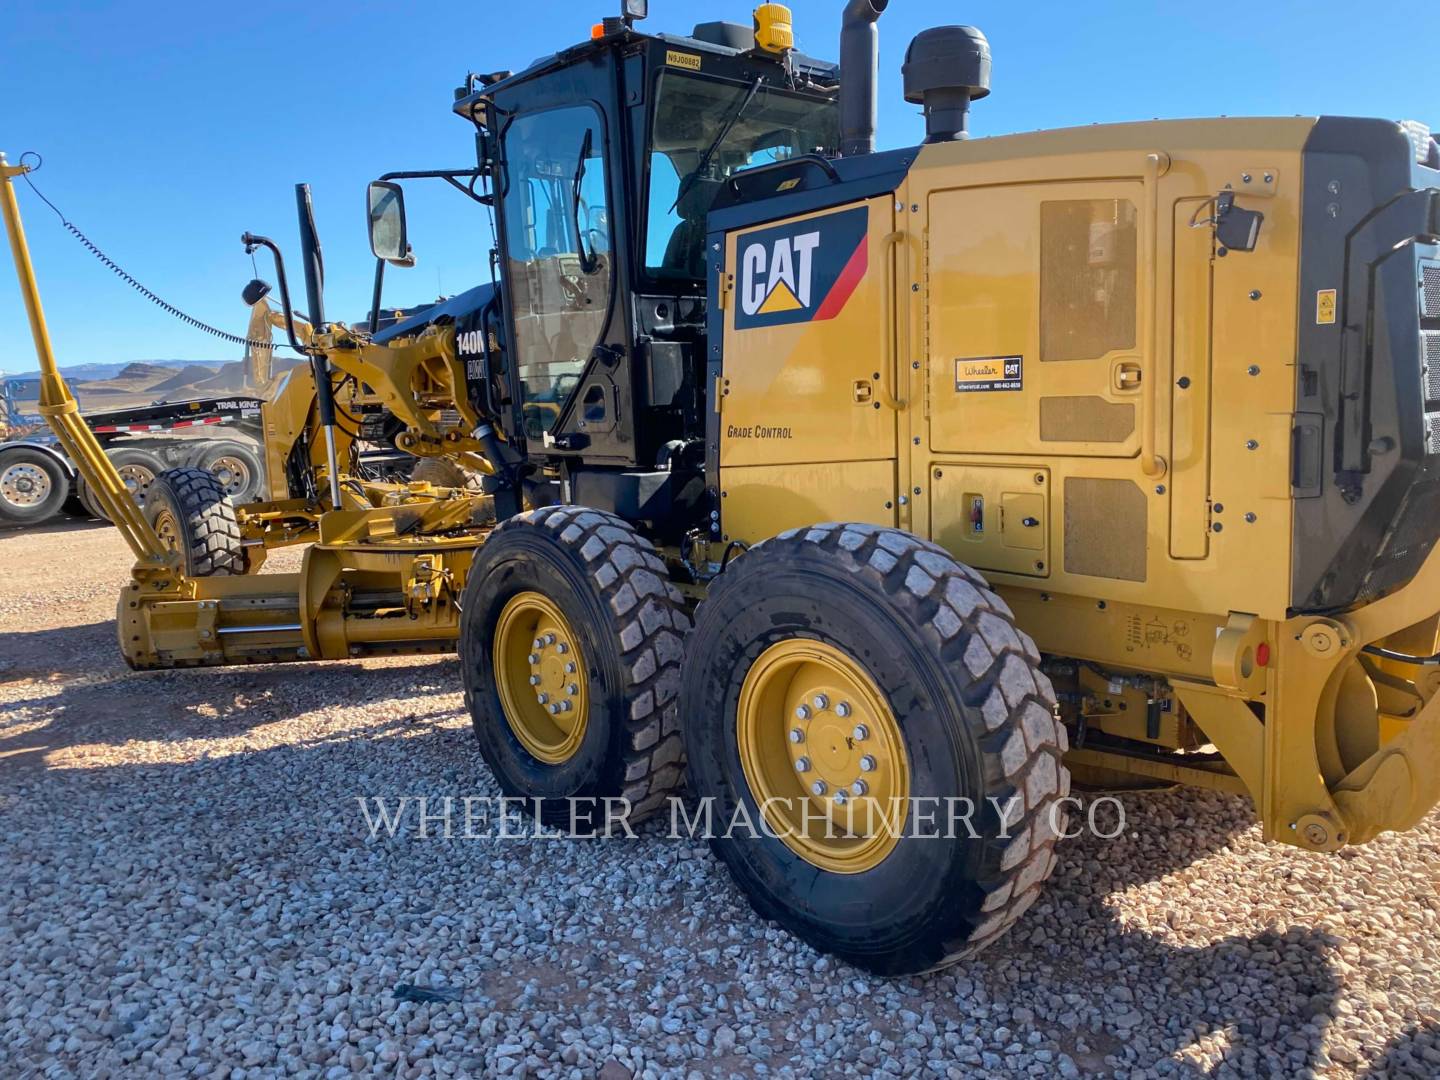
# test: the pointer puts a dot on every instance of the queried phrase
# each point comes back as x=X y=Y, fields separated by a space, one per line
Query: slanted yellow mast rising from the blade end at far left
x=63 y=414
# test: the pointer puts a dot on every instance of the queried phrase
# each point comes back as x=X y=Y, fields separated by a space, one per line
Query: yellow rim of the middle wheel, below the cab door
x=541 y=678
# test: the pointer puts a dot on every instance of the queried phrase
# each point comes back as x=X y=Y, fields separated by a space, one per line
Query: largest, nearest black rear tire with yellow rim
x=870 y=706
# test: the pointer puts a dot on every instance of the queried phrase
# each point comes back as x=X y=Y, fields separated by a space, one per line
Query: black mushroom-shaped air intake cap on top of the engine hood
x=945 y=70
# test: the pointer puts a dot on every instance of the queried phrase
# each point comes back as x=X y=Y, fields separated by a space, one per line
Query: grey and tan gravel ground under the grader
x=191 y=888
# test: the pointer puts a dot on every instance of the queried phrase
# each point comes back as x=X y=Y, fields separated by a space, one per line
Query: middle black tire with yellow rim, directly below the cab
x=571 y=647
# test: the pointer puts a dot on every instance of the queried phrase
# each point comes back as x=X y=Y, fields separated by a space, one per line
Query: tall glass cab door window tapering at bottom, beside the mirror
x=558 y=247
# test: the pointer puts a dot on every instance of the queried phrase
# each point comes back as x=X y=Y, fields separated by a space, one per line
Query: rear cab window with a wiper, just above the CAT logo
x=690 y=113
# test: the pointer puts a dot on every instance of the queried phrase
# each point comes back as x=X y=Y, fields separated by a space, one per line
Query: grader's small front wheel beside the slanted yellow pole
x=192 y=515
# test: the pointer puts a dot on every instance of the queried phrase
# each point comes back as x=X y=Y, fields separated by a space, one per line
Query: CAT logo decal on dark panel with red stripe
x=801 y=273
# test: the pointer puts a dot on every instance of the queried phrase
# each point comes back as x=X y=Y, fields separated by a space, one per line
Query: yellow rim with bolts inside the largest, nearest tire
x=824 y=757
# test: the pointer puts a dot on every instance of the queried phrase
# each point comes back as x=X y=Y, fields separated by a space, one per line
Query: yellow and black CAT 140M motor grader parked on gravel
x=842 y=482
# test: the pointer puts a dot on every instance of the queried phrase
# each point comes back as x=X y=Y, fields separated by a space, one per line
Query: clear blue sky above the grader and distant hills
x=171 y=129
